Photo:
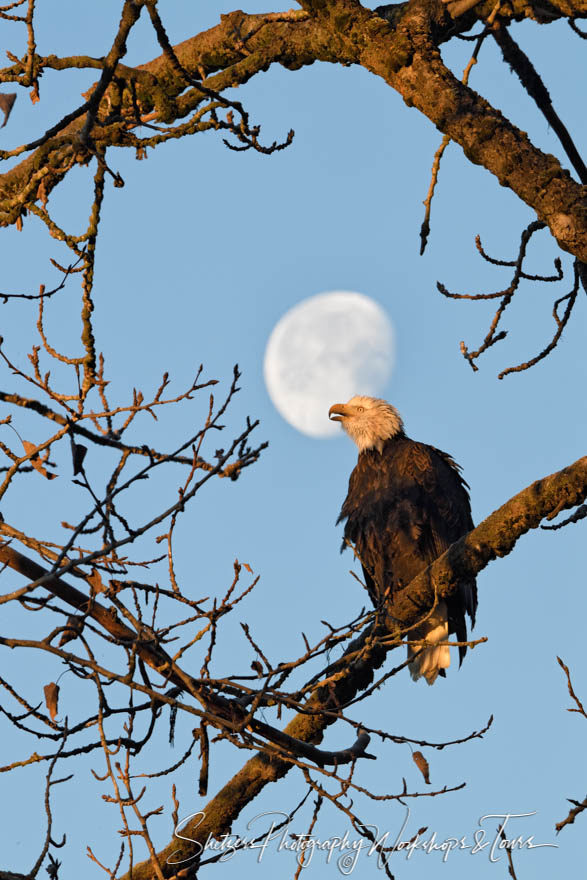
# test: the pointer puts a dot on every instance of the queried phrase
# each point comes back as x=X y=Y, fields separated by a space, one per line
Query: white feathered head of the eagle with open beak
x=369 y=421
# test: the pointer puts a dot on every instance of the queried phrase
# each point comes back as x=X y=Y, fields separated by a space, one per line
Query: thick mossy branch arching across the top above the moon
x=406 y=56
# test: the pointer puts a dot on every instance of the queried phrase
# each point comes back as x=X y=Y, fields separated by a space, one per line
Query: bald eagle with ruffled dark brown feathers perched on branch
x=406 y=504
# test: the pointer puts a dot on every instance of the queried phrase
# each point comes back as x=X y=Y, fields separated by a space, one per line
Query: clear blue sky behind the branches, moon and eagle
x=200 y=255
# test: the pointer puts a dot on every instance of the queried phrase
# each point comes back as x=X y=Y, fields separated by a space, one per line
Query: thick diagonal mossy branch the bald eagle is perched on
x=495 y=536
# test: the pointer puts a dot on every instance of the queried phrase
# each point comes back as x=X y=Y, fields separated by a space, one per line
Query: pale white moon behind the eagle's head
x=323 y=351
